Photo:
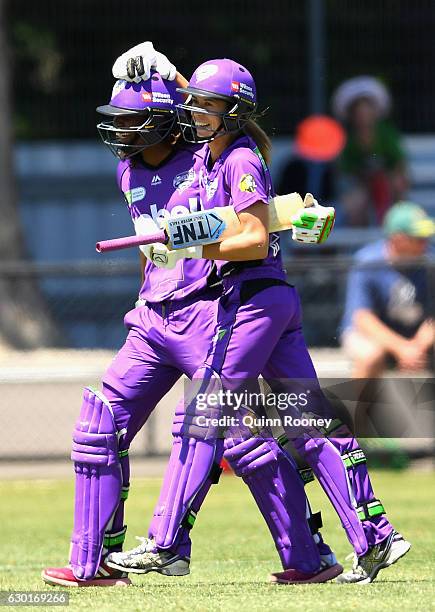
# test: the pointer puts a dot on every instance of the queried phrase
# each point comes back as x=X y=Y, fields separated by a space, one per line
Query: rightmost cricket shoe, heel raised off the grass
x=366 y=568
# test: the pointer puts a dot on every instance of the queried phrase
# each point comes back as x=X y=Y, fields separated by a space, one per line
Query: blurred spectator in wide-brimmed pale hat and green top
x=372 y=165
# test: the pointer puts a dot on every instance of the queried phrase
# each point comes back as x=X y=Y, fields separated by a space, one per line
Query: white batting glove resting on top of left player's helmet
x=136 y=64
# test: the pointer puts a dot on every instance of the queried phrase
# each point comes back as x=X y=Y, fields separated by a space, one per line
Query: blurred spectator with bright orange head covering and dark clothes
x=318 y=141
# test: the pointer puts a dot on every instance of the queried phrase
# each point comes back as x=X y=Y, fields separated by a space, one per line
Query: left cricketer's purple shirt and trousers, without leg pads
x=178 y=301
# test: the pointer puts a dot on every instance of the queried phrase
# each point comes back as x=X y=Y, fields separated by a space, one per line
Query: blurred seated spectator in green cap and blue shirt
x=389 y=309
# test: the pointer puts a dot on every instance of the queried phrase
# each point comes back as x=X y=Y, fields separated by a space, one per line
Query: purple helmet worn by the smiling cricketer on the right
x=223 y=79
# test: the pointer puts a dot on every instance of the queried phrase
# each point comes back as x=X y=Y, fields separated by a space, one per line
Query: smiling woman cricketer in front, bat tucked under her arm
x=258 y=309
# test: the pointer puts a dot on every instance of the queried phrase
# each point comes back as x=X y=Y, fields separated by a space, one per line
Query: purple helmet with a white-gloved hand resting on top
x=152 y=102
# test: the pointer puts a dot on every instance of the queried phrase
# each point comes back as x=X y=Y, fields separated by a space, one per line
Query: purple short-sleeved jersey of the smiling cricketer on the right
x=240 y=178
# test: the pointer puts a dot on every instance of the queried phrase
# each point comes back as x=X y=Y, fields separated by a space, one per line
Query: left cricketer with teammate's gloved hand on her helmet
x=169 y=335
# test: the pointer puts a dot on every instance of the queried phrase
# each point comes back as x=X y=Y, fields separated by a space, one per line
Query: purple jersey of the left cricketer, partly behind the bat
x=153 y=194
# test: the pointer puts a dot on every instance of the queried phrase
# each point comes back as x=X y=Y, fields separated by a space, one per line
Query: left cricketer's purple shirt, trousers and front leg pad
x=168 y=337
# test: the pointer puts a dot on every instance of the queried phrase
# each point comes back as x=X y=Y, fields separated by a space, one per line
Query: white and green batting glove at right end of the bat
x=314 y=223
